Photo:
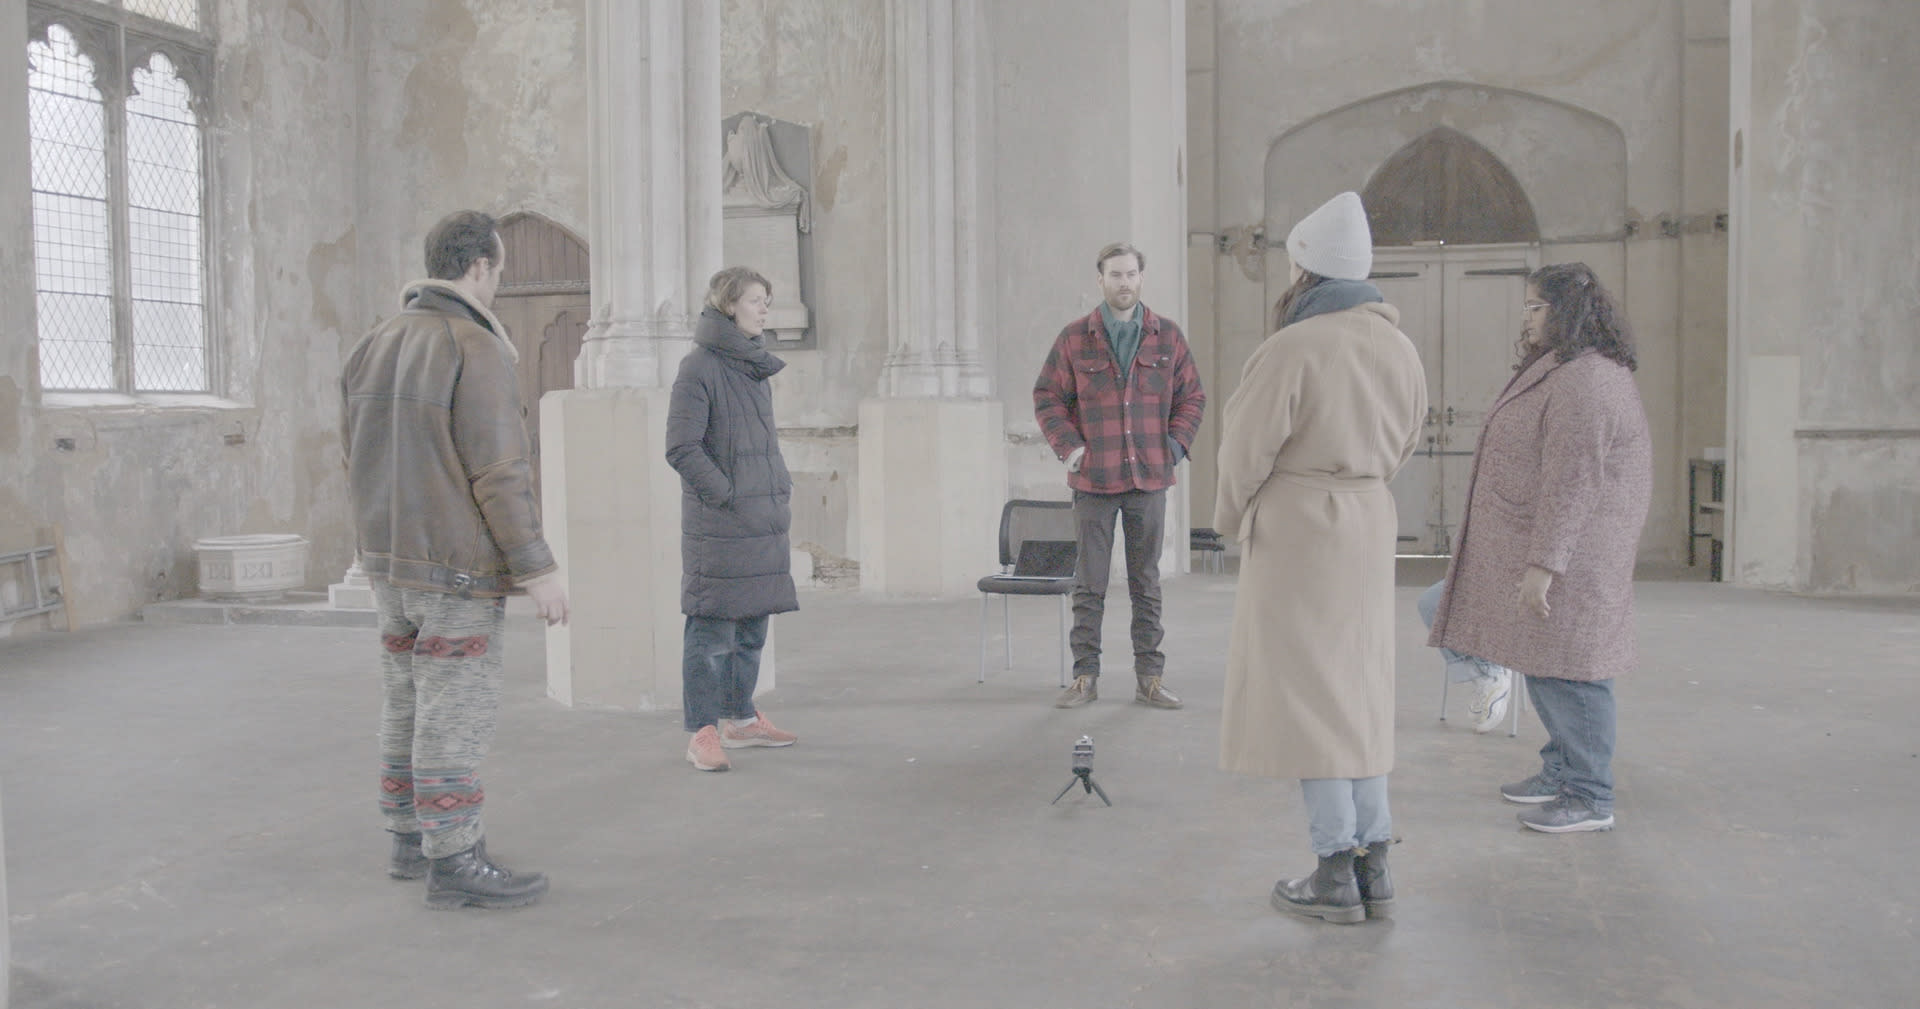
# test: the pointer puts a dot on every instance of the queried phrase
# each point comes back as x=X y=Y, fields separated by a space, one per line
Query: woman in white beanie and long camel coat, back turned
x=1326 y=415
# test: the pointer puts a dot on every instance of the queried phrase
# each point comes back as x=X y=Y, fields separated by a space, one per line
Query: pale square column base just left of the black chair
x=932 y=486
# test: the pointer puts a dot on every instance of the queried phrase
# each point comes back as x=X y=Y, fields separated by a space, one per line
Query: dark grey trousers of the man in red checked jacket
x=1143 y=521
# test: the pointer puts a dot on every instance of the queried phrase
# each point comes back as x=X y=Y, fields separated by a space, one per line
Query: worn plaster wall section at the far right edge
x=1823 y=404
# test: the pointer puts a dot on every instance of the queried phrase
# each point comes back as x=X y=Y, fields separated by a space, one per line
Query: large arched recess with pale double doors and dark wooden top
x=1477 y=187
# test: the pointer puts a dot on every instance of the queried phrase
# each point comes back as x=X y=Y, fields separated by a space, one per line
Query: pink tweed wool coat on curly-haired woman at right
x=1562 y=479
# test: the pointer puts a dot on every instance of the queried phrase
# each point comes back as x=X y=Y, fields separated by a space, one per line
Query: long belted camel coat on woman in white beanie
x=1326 y=415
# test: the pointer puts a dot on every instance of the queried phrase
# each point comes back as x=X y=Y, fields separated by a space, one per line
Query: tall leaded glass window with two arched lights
x=120 y=189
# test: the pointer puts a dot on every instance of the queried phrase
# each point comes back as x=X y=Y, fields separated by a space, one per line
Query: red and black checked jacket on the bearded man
x=1126 y=425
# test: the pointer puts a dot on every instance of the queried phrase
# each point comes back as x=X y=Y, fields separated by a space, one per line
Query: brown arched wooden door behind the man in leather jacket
x=544 y=304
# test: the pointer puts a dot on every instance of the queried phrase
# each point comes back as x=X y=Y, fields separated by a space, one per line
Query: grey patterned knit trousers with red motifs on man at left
x=441 y=661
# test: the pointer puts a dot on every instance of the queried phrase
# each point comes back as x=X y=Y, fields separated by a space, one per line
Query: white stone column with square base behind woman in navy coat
x=610 y=498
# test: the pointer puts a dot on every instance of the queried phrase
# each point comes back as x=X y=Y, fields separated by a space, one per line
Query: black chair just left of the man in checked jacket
x=1040 y=548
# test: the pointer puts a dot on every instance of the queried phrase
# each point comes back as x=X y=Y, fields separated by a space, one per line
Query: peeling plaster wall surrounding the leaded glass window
x=143 y=481
